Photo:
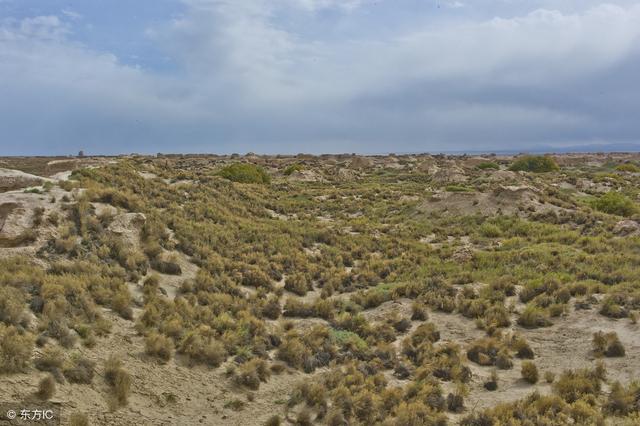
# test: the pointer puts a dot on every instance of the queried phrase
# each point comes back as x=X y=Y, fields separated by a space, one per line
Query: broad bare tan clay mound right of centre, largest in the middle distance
x=504 y=199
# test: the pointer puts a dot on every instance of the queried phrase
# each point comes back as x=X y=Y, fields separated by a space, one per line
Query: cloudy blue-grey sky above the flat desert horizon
x=316 y=76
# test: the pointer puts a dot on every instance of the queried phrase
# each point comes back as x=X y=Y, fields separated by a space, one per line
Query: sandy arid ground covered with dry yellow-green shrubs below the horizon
x=334 y=289
